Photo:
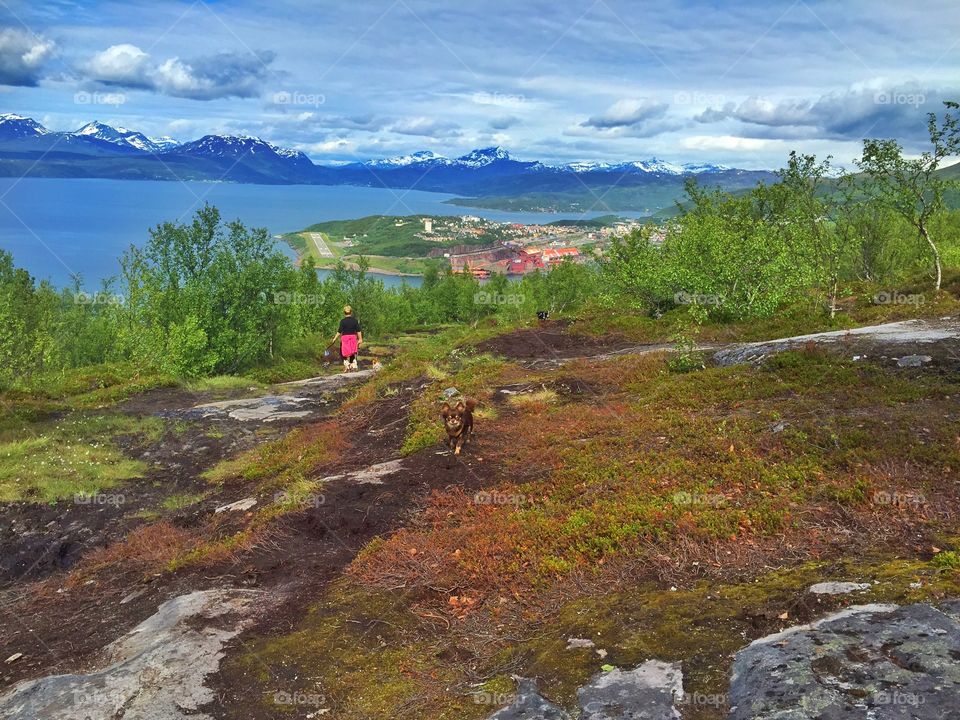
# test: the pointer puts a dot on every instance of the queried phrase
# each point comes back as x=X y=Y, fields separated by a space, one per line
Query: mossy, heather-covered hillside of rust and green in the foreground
x=611 y=511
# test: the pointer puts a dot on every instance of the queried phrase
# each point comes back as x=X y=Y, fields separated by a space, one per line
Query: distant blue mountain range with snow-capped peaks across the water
x=98 y=150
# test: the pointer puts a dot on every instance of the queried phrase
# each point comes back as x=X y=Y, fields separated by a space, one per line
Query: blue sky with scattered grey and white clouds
x=740 y=83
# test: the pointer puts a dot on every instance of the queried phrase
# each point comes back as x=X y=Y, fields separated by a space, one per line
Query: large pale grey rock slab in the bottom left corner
x=154 y=672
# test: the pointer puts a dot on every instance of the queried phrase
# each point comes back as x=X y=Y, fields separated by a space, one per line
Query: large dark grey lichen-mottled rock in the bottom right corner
x=875 y=662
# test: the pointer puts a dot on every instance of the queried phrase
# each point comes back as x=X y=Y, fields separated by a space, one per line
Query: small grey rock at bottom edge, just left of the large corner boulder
x=648 y=692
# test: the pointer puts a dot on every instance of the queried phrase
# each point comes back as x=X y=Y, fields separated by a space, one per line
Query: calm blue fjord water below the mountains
x=57 y=228
